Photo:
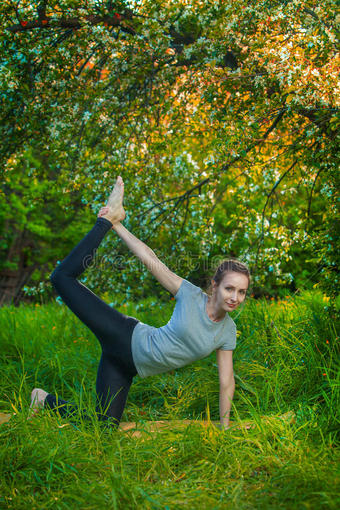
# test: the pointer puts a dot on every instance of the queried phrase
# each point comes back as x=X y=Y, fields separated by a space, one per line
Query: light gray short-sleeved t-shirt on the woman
x=188 y=336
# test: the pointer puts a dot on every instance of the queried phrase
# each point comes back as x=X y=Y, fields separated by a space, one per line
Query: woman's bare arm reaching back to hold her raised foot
x=169 y=280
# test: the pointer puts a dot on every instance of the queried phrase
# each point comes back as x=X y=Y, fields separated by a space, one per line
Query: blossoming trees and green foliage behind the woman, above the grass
x=221 y=116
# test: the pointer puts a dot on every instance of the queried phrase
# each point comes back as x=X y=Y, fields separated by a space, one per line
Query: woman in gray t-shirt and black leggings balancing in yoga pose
x=199 y=324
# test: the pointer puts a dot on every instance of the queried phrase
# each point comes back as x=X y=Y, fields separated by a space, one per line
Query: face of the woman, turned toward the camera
x=231 y=291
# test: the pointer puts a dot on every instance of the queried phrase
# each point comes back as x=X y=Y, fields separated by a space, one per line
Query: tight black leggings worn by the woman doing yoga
x=112 y=328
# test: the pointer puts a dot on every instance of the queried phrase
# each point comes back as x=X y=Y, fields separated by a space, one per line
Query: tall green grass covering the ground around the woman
x=287 y=358
